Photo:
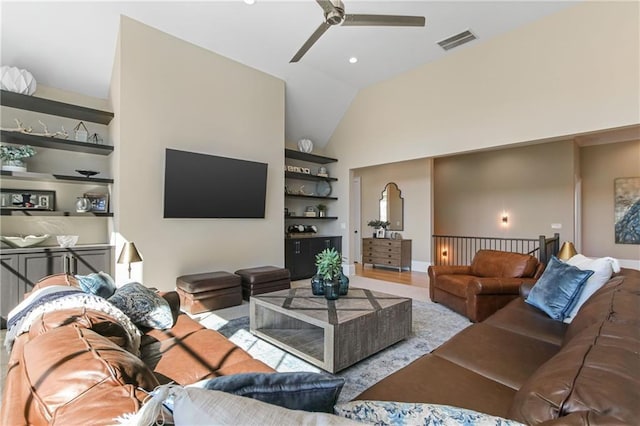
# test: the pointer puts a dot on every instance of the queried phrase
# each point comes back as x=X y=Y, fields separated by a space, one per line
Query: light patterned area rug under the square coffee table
x=433 y=324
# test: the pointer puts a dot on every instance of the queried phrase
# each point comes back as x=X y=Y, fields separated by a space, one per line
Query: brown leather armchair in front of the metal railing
x=491 y=281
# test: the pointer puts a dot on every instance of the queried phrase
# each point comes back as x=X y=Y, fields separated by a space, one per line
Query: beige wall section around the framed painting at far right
x=601 y=165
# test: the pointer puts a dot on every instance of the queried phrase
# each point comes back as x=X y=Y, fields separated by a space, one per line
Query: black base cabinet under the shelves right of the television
x=300 y=254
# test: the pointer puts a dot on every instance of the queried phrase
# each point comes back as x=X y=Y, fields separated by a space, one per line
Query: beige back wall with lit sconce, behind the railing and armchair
x=532 y=184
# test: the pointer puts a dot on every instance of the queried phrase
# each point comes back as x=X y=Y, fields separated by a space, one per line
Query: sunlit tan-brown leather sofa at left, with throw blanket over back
x=76 y=366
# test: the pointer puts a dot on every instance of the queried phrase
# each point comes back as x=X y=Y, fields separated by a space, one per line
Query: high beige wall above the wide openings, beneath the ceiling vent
x=572 y=72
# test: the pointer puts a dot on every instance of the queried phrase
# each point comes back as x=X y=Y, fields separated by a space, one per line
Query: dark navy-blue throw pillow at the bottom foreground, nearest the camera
x=297 y=391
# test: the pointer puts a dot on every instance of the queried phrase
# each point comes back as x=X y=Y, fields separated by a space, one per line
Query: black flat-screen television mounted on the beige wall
x=207 y=186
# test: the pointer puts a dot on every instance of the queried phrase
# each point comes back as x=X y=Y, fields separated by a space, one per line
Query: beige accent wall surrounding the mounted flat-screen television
x=172 y=94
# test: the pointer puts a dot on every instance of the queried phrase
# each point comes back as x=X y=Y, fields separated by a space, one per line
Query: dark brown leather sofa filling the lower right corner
x=521 y=364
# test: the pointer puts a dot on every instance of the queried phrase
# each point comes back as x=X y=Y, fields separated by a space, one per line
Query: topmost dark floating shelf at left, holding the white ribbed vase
x=48 y=106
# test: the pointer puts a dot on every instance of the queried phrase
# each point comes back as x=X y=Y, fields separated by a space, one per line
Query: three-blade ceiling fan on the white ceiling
x=334 y=15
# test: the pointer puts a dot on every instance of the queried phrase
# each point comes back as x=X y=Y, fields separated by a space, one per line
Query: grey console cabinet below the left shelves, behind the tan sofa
x=20 y=269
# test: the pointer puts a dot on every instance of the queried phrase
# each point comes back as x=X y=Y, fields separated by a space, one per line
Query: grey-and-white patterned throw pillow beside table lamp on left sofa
x=143 y=306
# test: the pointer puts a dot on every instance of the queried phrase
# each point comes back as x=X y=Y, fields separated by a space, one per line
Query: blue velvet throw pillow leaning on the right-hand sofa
x=557 y=290
